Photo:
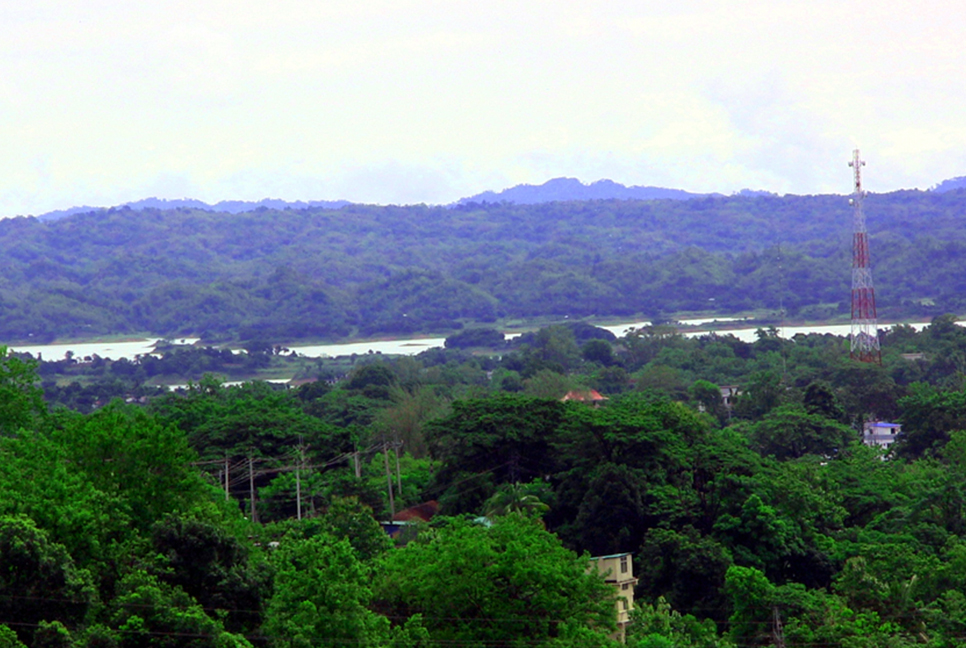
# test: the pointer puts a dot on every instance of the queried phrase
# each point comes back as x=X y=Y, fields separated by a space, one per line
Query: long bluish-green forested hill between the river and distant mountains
x=328 y=273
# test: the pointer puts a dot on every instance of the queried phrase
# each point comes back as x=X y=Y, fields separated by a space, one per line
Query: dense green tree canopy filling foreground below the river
x=236 y=515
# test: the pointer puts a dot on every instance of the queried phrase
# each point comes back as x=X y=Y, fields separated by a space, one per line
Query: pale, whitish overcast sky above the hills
x=403 y=101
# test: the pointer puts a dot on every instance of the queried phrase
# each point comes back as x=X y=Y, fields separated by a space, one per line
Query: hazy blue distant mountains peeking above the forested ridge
x=558 y=189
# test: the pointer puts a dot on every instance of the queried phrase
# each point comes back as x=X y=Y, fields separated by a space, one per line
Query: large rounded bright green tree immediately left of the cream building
x=504 y=585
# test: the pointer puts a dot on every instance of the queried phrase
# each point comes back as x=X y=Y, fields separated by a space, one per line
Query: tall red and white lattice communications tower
x=865 y=333
